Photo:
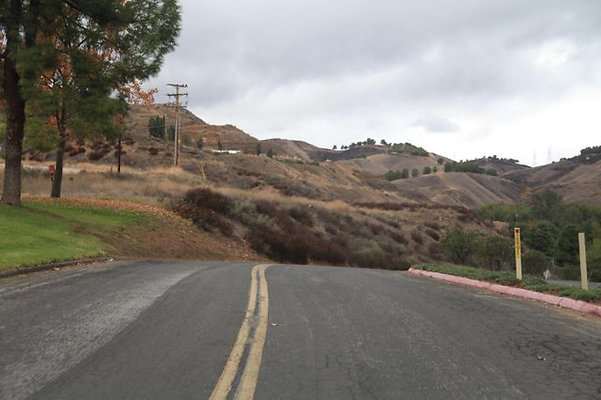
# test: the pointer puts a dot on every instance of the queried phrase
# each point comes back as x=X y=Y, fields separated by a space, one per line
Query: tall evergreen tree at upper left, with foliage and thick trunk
x=99 y=46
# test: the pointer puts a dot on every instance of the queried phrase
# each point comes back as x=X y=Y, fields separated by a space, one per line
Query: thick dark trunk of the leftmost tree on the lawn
x=15 y=111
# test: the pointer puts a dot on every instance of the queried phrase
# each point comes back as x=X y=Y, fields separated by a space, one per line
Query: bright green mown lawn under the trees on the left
x=46 y=232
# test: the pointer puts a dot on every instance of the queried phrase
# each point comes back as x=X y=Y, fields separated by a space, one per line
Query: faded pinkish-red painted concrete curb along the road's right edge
x=564 y=302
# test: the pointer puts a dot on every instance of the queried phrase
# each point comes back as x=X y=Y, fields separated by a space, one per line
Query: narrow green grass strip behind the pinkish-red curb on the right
x=508 y=278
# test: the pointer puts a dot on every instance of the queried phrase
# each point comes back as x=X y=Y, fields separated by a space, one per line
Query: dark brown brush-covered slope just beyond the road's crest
x=296 y=230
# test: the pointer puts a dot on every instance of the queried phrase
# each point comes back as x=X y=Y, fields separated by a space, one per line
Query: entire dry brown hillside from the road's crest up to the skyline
x=384 y=205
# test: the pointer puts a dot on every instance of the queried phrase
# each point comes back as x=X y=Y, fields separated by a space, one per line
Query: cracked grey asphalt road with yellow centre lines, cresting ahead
x=166 y=330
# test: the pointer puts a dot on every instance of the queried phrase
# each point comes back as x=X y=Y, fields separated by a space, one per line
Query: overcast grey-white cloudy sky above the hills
x=462 y=78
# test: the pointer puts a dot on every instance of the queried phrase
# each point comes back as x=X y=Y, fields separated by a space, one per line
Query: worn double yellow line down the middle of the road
x=258 y=310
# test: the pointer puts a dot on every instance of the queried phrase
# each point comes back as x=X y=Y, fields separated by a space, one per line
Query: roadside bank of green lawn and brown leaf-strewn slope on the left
x=44 y=231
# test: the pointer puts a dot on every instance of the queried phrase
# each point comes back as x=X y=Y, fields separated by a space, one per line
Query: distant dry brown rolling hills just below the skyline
x=353 y=174
